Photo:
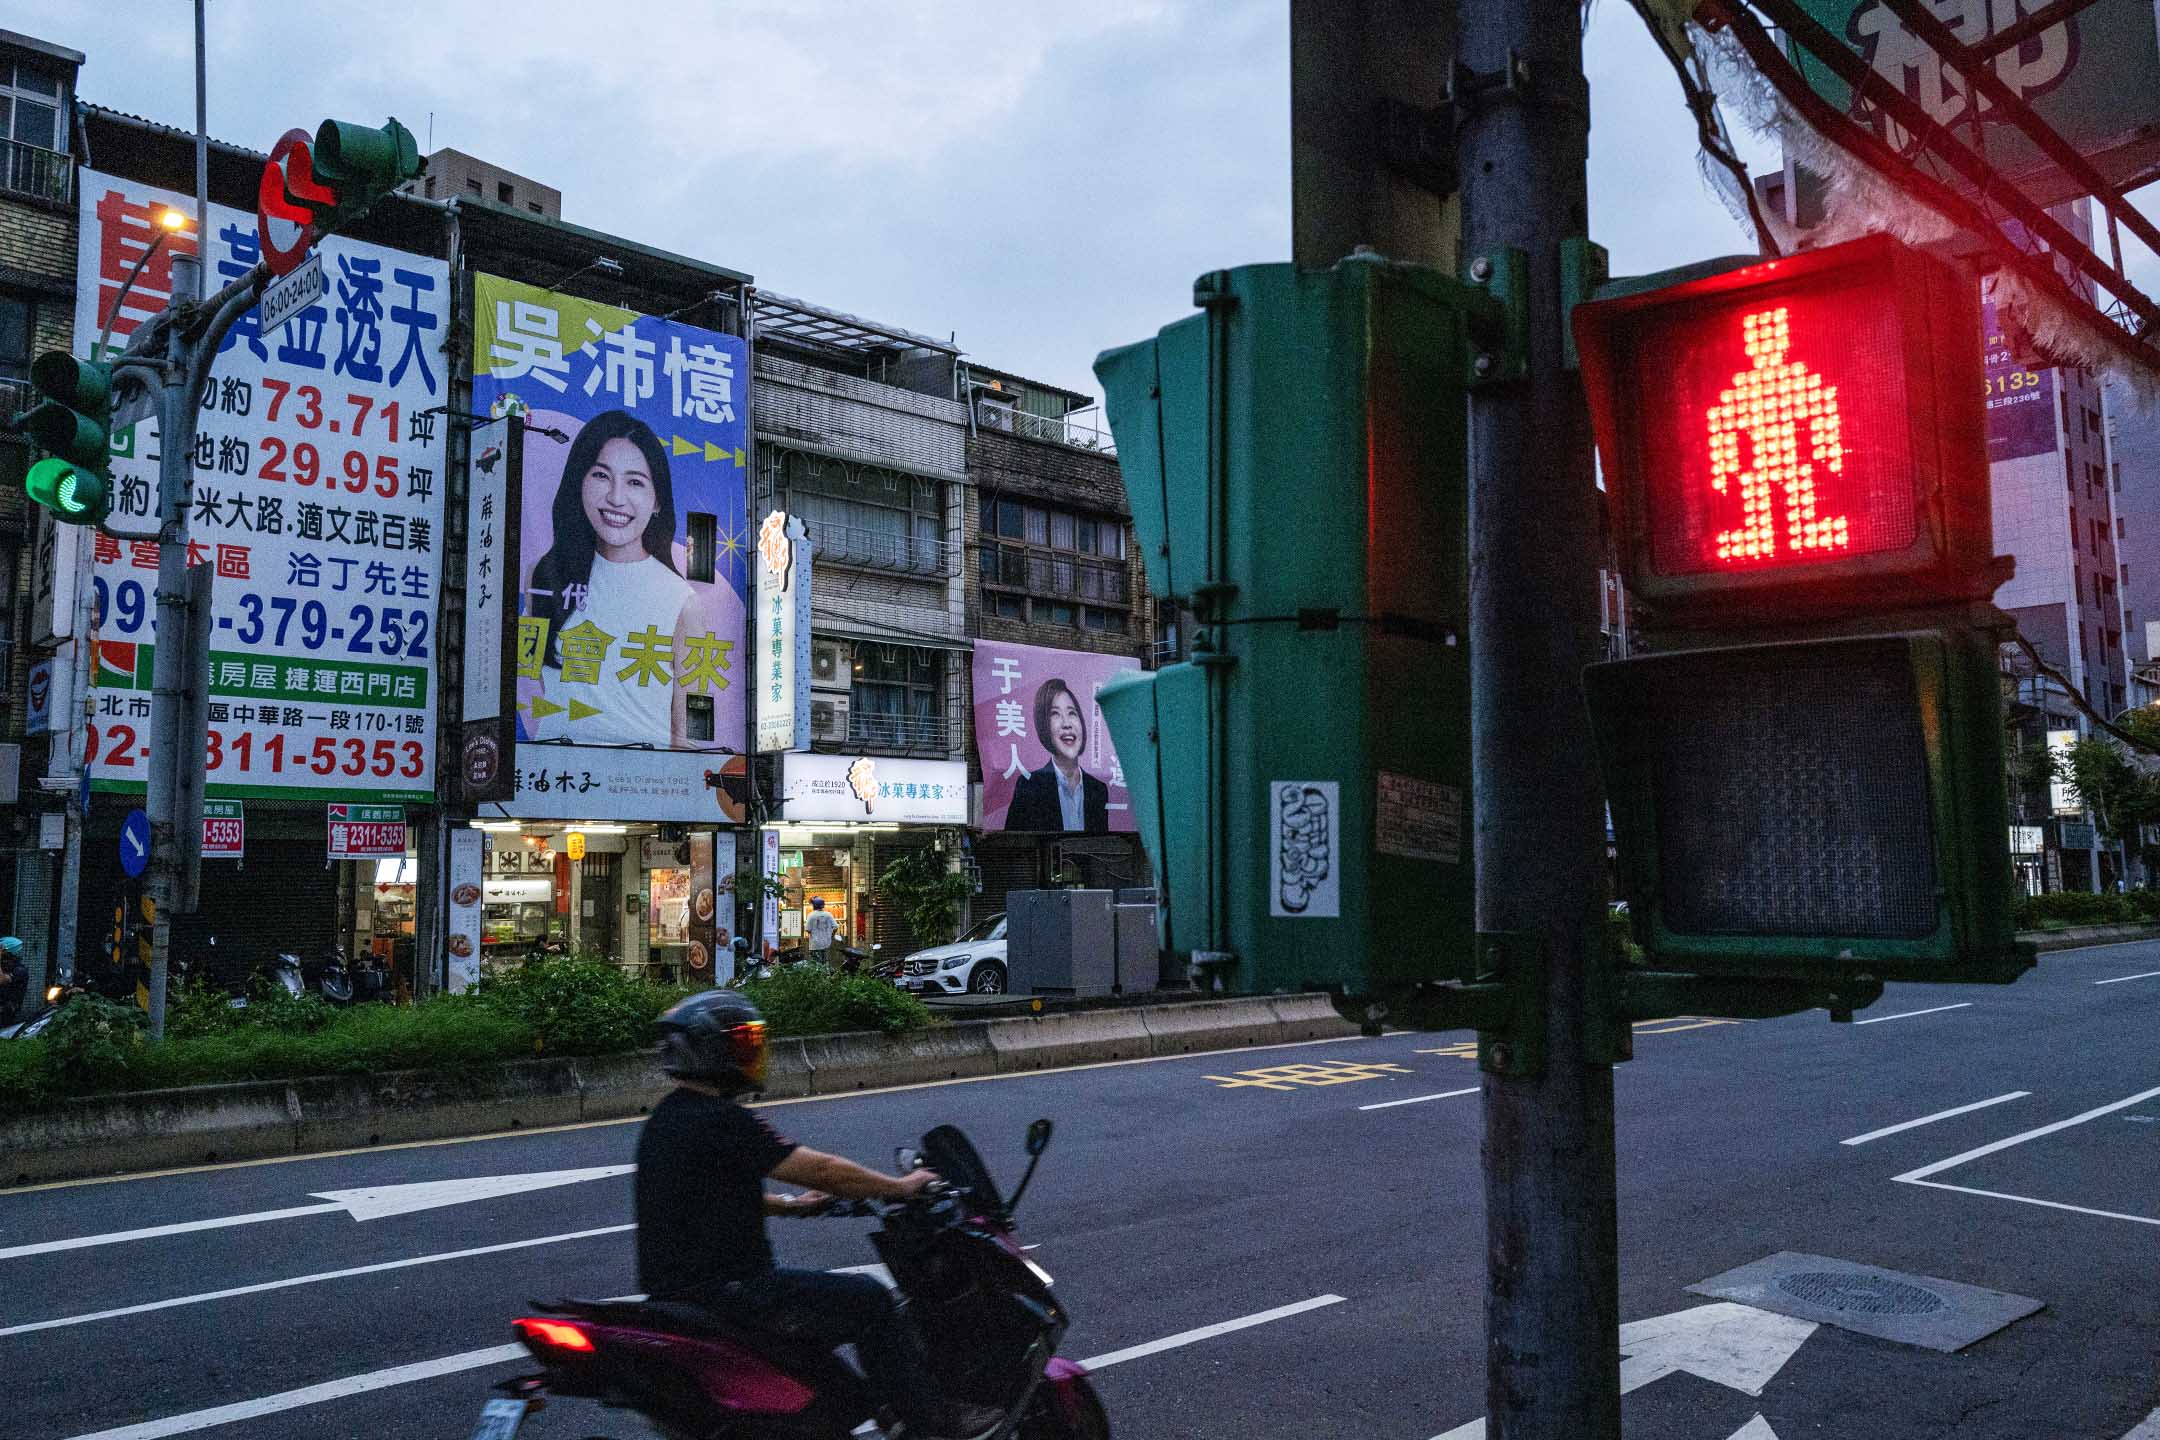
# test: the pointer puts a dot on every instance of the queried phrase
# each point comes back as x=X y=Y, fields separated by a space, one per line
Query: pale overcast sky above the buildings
x=1038 y=180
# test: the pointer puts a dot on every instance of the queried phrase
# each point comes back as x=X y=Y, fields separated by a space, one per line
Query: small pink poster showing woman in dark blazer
x=1047 y=752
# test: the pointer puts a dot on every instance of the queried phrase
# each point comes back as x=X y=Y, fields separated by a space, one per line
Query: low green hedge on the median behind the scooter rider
x=548 y=1007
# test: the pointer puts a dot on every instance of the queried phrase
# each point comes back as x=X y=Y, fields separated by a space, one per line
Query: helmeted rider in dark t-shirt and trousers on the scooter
x=701 y=1217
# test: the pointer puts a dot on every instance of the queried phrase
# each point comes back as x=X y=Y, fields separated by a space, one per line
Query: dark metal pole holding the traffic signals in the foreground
x=1552 y=1238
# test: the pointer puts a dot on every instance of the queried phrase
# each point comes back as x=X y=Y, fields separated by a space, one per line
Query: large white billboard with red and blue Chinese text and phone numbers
x=319 y=500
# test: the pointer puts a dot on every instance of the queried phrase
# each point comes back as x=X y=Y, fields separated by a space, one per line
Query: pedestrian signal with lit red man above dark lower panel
x=1805 y=763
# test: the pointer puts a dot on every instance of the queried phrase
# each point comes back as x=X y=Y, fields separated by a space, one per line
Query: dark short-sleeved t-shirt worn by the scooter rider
x=701 y=1193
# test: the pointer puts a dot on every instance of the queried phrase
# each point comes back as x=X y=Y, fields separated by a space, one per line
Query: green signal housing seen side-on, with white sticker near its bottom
x=1295 y=459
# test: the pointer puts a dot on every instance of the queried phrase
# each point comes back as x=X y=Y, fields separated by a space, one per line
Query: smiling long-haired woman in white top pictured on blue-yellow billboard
x=621 y=616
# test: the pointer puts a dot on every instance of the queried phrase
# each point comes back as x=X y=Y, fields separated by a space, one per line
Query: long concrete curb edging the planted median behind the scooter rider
x=157 y=1130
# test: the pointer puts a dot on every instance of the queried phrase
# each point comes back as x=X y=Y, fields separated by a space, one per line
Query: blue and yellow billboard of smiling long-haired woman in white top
x=634 y=573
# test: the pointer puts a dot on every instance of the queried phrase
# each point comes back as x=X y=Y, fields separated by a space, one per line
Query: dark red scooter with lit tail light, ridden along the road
x=697 y=1376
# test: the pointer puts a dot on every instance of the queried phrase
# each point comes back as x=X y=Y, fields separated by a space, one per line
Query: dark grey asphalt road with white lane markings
x=1278 y=1186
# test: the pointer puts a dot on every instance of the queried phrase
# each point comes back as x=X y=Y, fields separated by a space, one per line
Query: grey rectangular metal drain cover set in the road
x=1882 y=1303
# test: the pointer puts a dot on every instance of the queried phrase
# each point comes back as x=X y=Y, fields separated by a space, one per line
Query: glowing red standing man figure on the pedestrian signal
x=1794 y=437
